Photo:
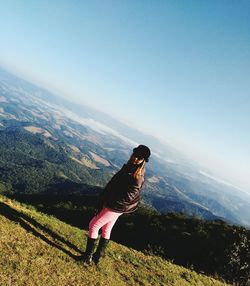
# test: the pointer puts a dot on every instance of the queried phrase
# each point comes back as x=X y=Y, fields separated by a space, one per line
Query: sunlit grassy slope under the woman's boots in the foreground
x=36 y=249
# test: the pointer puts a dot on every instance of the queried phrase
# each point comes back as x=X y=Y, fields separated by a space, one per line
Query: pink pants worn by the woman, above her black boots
x=104 y=220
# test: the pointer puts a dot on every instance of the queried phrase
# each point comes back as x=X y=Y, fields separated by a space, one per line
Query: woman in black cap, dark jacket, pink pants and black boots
x=121 y=195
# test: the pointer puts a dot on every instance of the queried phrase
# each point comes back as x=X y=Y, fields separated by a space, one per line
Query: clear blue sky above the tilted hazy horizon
x=178 y=70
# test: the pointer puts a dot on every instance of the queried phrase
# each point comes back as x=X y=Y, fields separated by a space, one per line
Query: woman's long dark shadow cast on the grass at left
x=30 y=224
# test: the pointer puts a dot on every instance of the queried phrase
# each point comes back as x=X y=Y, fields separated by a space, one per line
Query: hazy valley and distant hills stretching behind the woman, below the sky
x=47 y=141
